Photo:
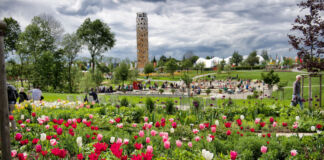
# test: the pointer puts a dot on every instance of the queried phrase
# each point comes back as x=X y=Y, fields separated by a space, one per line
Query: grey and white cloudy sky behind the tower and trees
x=205 y=27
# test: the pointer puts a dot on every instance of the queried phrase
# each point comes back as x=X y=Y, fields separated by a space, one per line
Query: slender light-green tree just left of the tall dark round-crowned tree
x=72 y=46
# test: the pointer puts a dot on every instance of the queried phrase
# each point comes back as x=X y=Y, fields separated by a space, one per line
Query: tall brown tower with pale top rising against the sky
x=142 y=40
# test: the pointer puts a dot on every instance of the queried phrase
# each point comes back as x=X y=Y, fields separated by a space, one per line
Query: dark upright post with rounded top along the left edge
x=4 y=111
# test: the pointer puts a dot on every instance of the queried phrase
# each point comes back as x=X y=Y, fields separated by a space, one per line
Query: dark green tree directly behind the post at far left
x=12 y=34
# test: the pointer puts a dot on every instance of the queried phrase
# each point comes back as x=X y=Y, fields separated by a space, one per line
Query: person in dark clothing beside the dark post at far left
x=12 y=99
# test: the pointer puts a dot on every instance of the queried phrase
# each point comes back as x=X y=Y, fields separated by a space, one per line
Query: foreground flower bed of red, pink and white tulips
x=73 y=130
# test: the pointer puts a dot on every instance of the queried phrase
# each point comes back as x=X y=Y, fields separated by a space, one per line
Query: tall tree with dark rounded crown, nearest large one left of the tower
x=97 y=36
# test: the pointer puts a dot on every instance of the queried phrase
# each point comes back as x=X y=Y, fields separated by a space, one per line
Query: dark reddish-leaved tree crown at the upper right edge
x=307 y=37
